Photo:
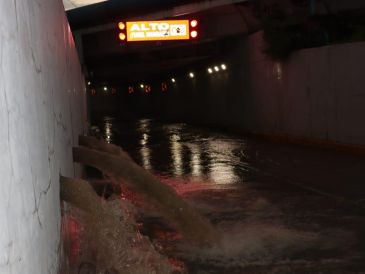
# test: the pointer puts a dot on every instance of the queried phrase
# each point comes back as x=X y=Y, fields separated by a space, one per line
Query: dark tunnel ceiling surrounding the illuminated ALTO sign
x=108 y=61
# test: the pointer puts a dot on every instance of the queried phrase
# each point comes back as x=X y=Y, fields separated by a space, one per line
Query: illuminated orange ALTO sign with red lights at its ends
x=163 y=30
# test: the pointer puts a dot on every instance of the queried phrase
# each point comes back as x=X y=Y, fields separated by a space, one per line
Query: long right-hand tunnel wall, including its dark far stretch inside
x=318 y=94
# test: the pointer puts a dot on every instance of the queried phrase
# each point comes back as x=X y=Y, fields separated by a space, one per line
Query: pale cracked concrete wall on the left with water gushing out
x=42 y=110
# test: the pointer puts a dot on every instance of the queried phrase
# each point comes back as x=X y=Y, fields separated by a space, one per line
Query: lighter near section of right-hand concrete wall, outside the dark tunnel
x=318 y=93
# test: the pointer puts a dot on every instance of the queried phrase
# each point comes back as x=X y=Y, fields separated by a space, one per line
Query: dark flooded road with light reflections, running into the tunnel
x=279 y=208
